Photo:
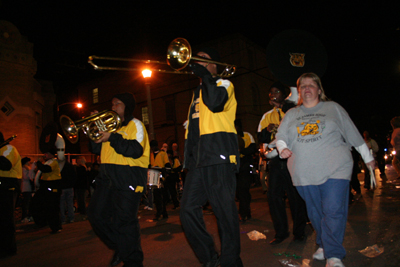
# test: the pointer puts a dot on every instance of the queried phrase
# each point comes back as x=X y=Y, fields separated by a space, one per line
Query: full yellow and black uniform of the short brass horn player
x=120 y=185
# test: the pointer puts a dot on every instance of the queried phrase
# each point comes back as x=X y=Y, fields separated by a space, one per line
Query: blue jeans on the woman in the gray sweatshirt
x=327 y=207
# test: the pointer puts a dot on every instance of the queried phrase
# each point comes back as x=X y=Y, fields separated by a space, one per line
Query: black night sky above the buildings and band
x=362 y=40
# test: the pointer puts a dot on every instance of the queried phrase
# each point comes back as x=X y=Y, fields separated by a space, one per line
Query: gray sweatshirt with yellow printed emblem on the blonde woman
x=320 y=139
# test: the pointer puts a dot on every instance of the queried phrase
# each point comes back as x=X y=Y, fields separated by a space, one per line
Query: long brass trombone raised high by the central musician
x=179 y=55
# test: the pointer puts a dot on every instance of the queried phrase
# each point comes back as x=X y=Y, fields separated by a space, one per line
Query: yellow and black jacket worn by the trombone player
x=211 y=135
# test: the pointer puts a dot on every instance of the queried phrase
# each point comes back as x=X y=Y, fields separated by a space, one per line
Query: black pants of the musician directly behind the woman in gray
x=279 y=183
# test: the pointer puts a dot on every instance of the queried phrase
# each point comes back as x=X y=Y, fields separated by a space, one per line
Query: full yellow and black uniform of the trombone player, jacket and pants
x=211 y=156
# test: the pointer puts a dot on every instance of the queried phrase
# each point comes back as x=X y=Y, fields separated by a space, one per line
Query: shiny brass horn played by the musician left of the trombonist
x=105 y=121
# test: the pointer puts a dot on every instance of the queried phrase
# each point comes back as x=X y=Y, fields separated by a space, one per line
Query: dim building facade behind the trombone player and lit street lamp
x=169 y=91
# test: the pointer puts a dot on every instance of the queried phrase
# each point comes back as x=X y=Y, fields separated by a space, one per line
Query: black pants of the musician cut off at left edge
x=8 y=245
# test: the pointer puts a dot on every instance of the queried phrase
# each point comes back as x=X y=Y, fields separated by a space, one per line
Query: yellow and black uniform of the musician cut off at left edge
x=10 y=174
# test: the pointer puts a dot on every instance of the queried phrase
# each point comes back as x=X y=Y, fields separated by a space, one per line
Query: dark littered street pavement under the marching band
x=373 y=220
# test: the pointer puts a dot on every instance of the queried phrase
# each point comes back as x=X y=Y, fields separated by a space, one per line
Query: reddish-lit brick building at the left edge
x=21 y=101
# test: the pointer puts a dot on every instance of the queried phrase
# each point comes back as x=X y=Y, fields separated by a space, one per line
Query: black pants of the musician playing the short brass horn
x=113 y=216
